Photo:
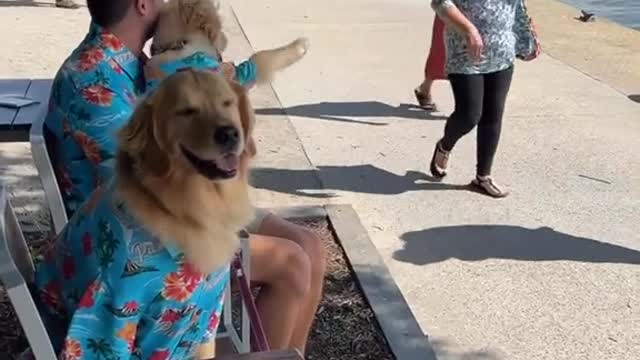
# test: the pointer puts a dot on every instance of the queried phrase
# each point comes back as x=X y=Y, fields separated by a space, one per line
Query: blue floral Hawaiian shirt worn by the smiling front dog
x=108 y=289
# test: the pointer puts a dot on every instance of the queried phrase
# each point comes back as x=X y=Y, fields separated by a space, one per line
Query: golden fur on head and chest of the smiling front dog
x=163 y=189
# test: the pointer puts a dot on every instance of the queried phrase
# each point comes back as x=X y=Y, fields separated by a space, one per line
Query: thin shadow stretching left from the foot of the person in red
x=347 y=111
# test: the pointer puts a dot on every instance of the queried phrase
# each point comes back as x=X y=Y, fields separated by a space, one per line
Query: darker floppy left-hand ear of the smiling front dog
x=138 y=139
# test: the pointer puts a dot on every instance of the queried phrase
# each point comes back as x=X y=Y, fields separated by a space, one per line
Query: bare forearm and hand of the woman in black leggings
x=452 y=16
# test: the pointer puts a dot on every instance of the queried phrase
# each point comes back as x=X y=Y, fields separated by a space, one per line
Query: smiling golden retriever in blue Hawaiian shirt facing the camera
x=142 y=266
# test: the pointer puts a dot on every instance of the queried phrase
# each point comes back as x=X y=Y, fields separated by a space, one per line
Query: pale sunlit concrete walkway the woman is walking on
x=549 y=273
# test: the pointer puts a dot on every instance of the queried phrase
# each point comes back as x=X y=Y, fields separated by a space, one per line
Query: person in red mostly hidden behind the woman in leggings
x=433 y=68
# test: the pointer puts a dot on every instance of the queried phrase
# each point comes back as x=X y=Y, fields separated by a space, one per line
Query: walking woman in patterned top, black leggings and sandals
x=483 y=39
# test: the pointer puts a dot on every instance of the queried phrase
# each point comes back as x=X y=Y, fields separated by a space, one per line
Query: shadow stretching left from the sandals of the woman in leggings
x=367 y=179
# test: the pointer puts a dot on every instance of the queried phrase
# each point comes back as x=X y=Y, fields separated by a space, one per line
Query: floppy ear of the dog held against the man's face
x=202 y=15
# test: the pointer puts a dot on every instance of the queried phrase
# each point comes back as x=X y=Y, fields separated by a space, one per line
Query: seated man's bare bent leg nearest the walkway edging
x=315 y=252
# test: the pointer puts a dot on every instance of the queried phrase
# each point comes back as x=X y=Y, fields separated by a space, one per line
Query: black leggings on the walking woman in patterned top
x=479 y=101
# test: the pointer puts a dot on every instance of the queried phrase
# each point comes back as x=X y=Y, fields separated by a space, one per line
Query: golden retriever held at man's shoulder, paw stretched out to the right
x=189 y=34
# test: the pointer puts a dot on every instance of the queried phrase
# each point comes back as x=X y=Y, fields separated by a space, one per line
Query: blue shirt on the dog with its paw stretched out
x=244 y=73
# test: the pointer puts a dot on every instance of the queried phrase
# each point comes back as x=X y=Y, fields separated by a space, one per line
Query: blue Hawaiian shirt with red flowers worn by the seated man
x=93 y=95
